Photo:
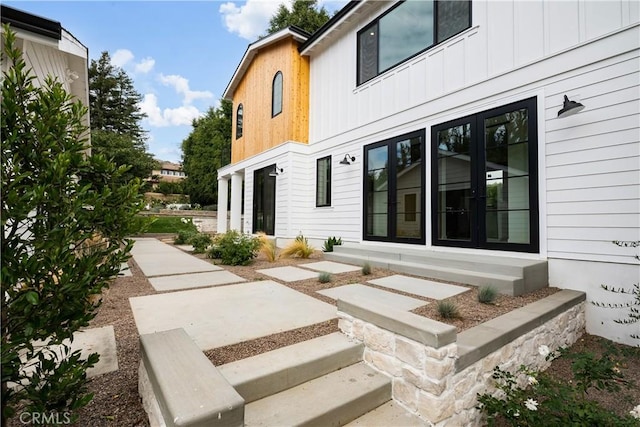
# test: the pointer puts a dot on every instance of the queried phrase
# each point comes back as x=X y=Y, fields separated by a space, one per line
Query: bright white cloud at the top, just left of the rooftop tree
x=249 y=20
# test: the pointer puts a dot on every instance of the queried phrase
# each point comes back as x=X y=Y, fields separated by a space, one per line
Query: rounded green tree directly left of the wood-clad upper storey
x=207 y=148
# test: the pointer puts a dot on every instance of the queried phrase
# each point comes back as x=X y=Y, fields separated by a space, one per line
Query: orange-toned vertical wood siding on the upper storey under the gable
x=261 y=131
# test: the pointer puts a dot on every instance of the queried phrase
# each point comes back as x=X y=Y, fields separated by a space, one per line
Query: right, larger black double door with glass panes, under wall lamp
x=484 y=180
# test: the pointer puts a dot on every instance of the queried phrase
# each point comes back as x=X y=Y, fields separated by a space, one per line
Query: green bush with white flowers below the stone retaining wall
x=546 y=401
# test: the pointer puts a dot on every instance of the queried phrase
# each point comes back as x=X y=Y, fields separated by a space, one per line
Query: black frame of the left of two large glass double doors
x=392 y=204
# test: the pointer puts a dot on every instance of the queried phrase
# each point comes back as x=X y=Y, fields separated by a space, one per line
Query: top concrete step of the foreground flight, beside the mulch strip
x=272 y=372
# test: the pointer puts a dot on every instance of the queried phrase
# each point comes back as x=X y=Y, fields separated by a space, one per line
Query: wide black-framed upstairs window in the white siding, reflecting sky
x=406 y=30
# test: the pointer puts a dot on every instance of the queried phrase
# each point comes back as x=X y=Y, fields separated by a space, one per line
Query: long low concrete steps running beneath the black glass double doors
x=510 y=275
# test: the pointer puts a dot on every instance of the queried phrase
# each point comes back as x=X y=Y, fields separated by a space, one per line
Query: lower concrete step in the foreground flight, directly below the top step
x=334 y=399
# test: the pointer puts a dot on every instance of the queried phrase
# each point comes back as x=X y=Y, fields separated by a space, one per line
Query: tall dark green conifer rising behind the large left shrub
x=116 y=131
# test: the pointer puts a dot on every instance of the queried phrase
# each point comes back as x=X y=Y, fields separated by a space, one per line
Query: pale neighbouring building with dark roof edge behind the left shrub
x=50 y=50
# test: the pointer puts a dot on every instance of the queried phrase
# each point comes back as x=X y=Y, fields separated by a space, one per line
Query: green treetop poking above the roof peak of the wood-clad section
x=304 y=14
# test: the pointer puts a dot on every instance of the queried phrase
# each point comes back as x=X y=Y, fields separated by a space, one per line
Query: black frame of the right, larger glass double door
x=478 y=189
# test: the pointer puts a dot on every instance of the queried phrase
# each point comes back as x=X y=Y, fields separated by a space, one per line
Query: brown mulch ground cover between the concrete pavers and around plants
x=116 y=401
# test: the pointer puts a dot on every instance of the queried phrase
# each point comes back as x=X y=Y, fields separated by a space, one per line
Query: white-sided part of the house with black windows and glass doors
x=474 y=107
